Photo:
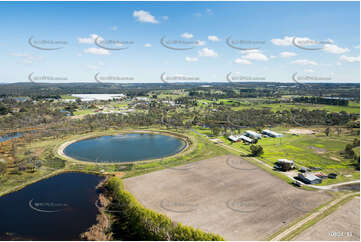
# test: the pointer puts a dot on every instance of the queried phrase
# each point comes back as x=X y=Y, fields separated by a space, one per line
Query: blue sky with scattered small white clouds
x=179 y=41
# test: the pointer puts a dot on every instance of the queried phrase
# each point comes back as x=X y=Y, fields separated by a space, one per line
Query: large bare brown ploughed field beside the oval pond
x=225 y=195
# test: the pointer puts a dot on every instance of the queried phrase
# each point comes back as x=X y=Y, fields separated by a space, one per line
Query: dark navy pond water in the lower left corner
x=58 y=208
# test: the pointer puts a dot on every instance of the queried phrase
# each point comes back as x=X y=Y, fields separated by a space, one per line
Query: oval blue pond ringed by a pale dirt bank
x=125 y=147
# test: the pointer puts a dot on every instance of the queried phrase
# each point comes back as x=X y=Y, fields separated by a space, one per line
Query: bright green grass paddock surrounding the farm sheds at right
x=306 y=150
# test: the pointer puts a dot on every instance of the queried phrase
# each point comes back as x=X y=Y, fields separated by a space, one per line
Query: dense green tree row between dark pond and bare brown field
x=134 y=222
